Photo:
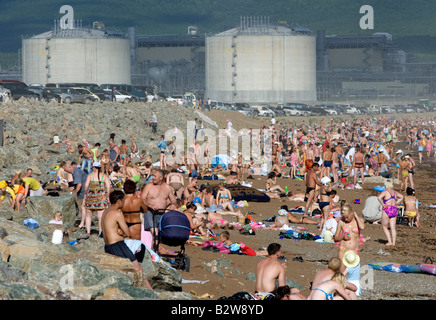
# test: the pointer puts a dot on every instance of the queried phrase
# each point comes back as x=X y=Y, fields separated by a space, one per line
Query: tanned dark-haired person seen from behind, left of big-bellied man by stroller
x=132 y=209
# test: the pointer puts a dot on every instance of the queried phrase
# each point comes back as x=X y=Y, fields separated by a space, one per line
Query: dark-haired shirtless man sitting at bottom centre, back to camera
x=270 y=270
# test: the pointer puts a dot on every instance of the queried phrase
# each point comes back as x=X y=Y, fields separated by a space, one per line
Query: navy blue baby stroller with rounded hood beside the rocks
x=174 y=230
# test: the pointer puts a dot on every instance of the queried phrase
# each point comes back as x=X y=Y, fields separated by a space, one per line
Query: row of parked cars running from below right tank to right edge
x=328 y=109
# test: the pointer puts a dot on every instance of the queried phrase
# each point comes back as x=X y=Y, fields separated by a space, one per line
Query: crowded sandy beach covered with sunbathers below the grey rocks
x=326 y=210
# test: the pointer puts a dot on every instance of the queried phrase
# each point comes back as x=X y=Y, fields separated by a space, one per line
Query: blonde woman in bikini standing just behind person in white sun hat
x=348 y=232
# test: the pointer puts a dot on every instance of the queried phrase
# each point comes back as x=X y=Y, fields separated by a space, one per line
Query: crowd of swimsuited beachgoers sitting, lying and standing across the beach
x=128 y=194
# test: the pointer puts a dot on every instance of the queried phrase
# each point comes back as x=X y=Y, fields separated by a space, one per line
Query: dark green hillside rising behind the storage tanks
x=404 y=19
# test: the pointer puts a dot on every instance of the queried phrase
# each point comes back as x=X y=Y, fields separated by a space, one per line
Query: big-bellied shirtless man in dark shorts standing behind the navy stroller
x=157 y=196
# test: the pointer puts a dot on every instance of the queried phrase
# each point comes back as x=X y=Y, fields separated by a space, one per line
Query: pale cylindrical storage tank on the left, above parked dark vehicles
x=80 y=55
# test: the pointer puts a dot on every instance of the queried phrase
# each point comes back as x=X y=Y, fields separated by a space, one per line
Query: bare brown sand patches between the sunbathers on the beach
x=413 y=246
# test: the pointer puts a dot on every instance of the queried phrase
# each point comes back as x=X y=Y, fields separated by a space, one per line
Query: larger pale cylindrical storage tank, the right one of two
x=261 y=65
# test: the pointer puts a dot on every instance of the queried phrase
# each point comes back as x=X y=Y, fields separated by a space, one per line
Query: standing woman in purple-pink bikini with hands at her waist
x=389 y=200
